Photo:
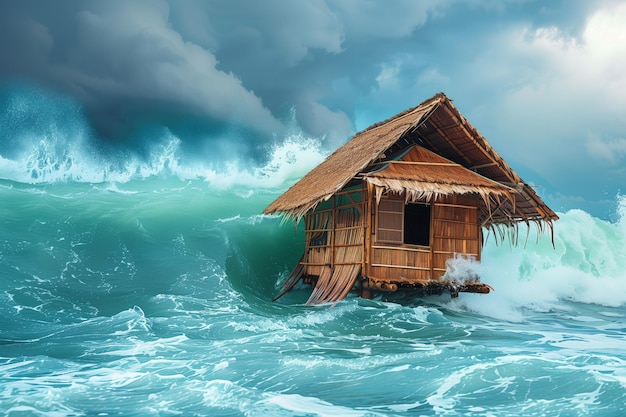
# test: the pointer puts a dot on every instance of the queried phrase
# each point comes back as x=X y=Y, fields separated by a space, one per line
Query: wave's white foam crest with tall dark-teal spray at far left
x=47 y=139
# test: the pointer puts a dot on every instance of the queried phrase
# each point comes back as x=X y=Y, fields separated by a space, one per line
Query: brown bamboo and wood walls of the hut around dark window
x=454 y=230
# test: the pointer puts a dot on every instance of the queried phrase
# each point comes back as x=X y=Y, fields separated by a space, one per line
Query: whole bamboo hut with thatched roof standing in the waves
x=389 y=209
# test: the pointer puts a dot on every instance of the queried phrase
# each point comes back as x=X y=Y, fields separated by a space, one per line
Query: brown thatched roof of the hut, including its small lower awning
x=437 y=126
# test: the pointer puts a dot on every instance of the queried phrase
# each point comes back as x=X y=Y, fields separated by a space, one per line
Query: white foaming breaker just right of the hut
x=587 y=264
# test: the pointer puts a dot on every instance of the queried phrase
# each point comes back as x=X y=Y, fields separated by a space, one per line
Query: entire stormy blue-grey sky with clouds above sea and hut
x=543 y=81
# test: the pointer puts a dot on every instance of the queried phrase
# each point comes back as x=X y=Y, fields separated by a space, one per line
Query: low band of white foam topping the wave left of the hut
x=54 y=159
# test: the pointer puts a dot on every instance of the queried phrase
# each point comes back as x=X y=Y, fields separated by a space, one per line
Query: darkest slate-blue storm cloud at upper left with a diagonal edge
x=124 y=61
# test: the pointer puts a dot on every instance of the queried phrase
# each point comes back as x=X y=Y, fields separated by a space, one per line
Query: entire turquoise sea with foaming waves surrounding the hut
x=143 y=286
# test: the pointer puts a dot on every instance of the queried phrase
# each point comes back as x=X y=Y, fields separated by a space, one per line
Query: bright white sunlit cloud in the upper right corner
x=584 y=77
